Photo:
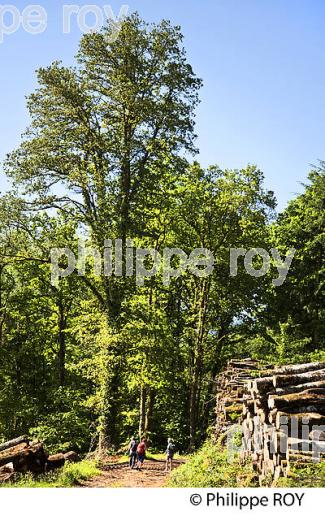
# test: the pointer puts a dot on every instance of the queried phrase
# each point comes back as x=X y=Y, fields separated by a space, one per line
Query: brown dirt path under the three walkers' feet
x=120 y=475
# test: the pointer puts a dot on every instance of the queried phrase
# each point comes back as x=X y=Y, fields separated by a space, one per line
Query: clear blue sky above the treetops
x=263 y=66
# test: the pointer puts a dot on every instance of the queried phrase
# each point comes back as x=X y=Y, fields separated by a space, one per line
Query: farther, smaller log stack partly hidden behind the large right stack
x=230 y=391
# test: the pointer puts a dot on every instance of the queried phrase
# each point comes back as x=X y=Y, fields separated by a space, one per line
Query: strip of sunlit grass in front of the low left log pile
x=69 y=476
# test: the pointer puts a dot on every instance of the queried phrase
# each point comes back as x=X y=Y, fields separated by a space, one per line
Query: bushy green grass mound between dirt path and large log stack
x=210 y=467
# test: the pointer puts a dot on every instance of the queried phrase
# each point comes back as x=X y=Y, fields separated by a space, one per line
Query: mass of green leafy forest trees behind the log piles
x=96 y=359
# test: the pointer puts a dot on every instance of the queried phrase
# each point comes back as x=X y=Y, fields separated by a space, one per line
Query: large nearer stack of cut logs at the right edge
x=284 y=419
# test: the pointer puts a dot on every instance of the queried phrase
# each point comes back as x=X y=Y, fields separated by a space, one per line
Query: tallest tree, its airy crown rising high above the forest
x=101 y=136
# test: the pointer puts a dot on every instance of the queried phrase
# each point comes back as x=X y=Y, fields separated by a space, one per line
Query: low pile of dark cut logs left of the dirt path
x=21 y=455
